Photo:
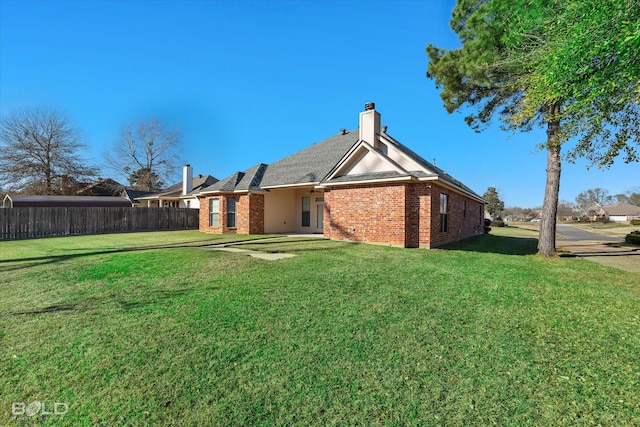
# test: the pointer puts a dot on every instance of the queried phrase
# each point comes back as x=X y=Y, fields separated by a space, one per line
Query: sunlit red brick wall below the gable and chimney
x=366 y=213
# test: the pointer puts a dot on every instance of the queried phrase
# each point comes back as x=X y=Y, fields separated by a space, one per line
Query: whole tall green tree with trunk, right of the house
x=572 y=66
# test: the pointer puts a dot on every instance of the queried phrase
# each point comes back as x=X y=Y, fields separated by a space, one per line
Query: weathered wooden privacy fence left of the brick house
x=22 y=223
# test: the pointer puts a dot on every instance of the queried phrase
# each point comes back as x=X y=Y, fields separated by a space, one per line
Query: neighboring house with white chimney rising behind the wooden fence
x=180 y=195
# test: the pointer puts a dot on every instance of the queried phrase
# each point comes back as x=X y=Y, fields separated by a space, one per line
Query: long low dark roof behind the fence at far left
x=20 y=201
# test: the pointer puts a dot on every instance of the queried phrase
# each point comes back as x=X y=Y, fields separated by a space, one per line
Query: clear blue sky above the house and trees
x=253 y=81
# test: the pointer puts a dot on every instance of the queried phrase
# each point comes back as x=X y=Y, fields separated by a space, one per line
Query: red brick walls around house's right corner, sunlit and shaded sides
x=406 y=215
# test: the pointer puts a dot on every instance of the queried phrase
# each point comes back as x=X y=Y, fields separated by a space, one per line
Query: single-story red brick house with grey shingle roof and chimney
x=360 y=185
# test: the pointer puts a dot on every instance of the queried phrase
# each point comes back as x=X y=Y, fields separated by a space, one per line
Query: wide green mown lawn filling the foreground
x=153 y=329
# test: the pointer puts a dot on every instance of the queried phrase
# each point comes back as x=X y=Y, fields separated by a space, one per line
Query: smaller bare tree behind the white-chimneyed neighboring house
x=146 y=154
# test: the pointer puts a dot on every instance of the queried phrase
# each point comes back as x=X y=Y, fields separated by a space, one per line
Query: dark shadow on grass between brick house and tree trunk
x=489 y=243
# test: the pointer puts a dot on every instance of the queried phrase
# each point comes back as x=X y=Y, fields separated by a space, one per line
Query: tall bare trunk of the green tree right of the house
x=547 y=239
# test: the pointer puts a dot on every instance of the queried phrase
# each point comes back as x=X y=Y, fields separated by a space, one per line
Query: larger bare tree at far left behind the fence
x=39 y=153
